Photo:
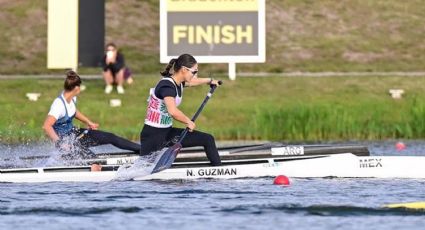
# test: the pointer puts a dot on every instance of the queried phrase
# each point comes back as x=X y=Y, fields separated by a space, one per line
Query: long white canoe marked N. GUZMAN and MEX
x=244 y=165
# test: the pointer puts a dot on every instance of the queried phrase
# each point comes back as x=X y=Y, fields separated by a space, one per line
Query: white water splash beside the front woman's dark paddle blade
x=143 y=166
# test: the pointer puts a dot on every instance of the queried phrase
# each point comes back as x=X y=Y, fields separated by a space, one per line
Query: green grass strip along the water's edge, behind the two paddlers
x=272 y=108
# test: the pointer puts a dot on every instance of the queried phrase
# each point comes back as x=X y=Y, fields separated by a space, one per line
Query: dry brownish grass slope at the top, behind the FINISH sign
x=301 y=35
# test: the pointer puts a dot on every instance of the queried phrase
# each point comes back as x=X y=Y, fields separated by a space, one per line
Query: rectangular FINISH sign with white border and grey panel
x=213 y=30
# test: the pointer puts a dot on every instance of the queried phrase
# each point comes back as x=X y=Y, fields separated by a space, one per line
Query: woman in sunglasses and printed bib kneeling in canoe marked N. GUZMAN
x=163 y=105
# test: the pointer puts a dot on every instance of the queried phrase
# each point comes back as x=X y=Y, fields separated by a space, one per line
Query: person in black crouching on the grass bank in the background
x=114 y=69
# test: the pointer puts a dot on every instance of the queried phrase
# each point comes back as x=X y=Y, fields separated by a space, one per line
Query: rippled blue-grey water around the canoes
x=218 y=204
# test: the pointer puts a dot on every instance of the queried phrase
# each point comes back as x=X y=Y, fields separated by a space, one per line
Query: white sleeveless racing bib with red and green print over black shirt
x=156 y=113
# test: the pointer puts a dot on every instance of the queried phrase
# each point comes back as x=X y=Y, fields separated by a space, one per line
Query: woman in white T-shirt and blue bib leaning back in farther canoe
x=59 y=127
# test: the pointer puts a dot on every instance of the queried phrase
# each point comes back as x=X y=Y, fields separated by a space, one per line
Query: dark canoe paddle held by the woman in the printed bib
x=170 y=154
